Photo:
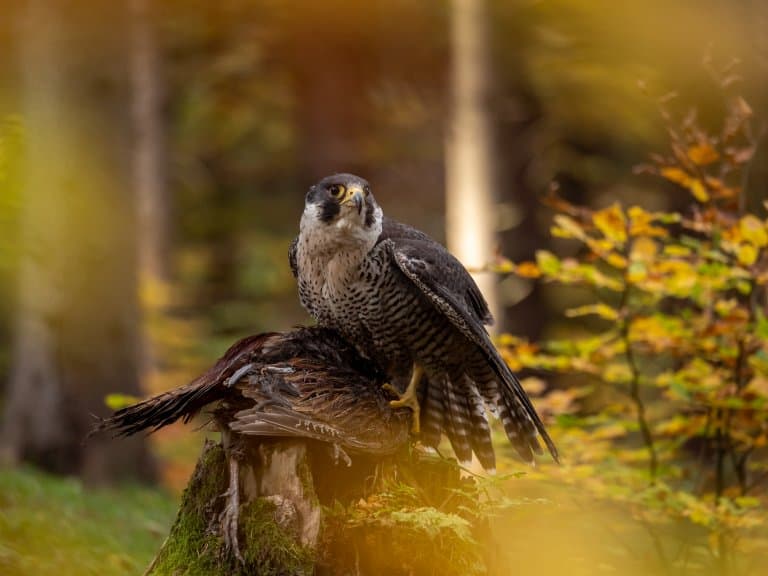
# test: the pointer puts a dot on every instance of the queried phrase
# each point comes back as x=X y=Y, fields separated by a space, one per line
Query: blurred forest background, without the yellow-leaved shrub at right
x=154 y=157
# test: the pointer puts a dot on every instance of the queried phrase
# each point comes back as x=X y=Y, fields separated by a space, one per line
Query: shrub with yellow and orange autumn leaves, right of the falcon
x=669 y=416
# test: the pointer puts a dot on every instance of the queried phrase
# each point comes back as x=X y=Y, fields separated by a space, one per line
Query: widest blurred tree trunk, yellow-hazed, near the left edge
x=76 y=337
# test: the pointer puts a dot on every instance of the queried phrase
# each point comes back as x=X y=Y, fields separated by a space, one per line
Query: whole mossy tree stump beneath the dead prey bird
x=298 y=513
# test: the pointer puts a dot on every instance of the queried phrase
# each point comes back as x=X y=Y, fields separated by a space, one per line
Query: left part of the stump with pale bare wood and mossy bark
x=278 y=514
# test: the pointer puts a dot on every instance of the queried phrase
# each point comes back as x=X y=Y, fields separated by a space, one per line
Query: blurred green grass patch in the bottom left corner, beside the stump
x=57 y=526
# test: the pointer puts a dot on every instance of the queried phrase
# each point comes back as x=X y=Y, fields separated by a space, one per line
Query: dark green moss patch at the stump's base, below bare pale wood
x=269 y=547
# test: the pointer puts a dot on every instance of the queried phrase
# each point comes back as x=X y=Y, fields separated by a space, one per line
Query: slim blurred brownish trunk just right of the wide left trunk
x=148 y=168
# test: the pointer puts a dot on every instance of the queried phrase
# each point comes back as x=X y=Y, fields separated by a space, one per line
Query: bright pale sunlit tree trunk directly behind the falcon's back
x=470 y=186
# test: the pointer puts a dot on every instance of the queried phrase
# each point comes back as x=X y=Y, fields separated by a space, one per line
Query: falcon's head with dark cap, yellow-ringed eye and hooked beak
x=344 y=202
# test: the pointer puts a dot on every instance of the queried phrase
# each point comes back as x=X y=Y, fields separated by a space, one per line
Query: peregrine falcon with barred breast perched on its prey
x=410 y=306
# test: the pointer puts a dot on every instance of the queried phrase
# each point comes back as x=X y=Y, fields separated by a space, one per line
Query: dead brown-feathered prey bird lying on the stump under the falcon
x=308 y=383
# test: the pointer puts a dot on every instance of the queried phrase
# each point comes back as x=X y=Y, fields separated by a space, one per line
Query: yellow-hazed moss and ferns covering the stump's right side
x=429 y=521
